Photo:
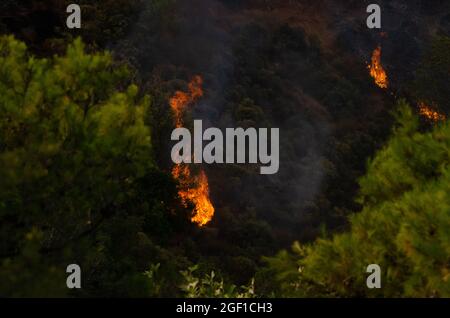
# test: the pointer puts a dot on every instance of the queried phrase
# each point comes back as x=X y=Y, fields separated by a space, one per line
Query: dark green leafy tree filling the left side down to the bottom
x=76 y=166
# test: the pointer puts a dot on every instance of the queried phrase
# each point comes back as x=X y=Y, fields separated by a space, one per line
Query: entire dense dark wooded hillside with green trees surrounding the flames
x=85 y=164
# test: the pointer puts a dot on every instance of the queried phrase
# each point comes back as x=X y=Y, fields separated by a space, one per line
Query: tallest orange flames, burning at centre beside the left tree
x=193 y=188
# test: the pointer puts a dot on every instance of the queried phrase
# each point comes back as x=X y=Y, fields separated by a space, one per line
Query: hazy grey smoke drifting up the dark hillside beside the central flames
x=216 y=41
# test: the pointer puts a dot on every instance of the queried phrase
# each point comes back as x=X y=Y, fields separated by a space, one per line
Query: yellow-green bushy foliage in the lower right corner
x=403 y=227
